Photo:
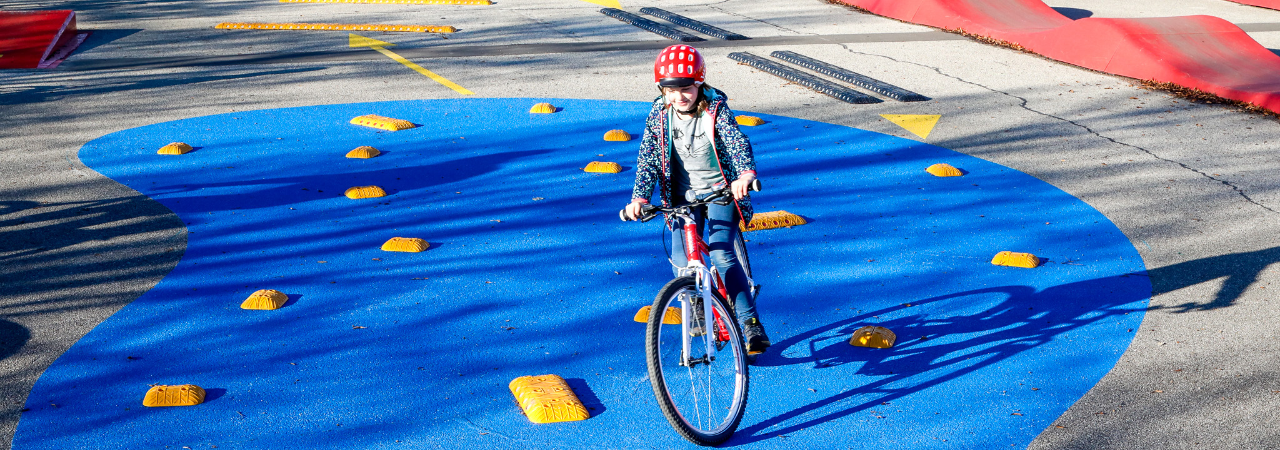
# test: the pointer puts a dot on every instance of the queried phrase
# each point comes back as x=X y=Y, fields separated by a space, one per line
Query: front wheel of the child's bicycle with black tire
x=702 y=391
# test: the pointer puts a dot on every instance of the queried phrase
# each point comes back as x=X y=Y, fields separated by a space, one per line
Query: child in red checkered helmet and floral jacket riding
x=692 y=143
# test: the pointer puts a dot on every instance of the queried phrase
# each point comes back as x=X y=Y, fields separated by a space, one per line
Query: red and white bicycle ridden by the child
x=708 y=403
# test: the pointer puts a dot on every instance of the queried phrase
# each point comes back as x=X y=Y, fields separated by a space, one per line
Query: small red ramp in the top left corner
x=29 y=39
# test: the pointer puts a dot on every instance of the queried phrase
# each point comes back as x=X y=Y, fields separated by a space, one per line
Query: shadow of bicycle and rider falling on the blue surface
x=1023 y=320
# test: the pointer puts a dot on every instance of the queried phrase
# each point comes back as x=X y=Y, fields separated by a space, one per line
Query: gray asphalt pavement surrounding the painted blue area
x=1194 y=186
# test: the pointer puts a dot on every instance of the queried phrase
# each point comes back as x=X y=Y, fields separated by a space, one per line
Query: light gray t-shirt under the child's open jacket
x=694 y=164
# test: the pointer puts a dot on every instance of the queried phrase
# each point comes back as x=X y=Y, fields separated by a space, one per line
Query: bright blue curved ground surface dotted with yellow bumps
x=391 y=351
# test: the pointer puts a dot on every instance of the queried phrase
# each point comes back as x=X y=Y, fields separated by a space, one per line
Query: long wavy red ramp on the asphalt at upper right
x=1199 y=52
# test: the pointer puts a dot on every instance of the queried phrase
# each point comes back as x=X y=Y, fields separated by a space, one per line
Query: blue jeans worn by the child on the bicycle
x=719 y=226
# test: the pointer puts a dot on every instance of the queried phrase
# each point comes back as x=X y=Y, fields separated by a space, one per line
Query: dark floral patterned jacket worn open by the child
x=733 y=151
